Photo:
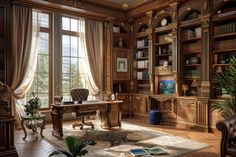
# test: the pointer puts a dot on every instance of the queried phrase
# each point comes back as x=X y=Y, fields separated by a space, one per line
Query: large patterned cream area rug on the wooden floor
x=117 y=142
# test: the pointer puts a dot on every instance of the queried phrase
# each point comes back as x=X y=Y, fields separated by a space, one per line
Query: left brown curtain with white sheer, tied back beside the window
x=24 y=57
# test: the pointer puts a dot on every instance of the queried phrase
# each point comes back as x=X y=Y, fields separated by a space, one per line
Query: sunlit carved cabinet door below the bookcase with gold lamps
x=186 y=110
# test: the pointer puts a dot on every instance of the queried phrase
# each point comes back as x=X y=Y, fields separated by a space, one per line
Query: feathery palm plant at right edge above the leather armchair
x=227 y=81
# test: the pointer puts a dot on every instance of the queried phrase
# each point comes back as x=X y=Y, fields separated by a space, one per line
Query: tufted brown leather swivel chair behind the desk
x=81 y=94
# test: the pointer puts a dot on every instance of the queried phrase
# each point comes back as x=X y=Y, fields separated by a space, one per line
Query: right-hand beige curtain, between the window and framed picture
x=94 y=45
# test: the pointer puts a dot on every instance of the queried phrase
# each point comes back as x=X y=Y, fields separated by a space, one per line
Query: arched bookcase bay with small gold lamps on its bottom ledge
x=190 y=75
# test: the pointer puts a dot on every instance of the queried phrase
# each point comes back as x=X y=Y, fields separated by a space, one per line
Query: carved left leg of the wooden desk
x=57 y=115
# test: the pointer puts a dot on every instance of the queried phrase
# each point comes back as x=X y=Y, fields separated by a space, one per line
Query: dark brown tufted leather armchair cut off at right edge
x=228 y=138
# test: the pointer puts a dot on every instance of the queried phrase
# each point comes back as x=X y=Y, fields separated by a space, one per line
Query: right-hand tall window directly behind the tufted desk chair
x=71 y=57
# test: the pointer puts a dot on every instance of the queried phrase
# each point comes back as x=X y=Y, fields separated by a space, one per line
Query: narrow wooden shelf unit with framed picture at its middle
x=121 y=55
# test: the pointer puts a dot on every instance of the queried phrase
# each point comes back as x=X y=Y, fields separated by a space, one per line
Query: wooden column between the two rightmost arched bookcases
x=205 y=85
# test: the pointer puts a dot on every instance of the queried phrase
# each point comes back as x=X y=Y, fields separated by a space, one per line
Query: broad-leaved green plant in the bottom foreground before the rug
x=74 y=146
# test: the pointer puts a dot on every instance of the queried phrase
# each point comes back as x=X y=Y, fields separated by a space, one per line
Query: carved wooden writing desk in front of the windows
x=110 y=113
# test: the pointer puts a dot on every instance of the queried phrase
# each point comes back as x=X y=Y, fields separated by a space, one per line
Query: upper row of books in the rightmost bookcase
x=225 y=28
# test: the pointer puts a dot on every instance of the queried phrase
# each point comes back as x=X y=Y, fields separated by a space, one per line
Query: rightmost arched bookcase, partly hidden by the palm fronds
x=223 y=42
